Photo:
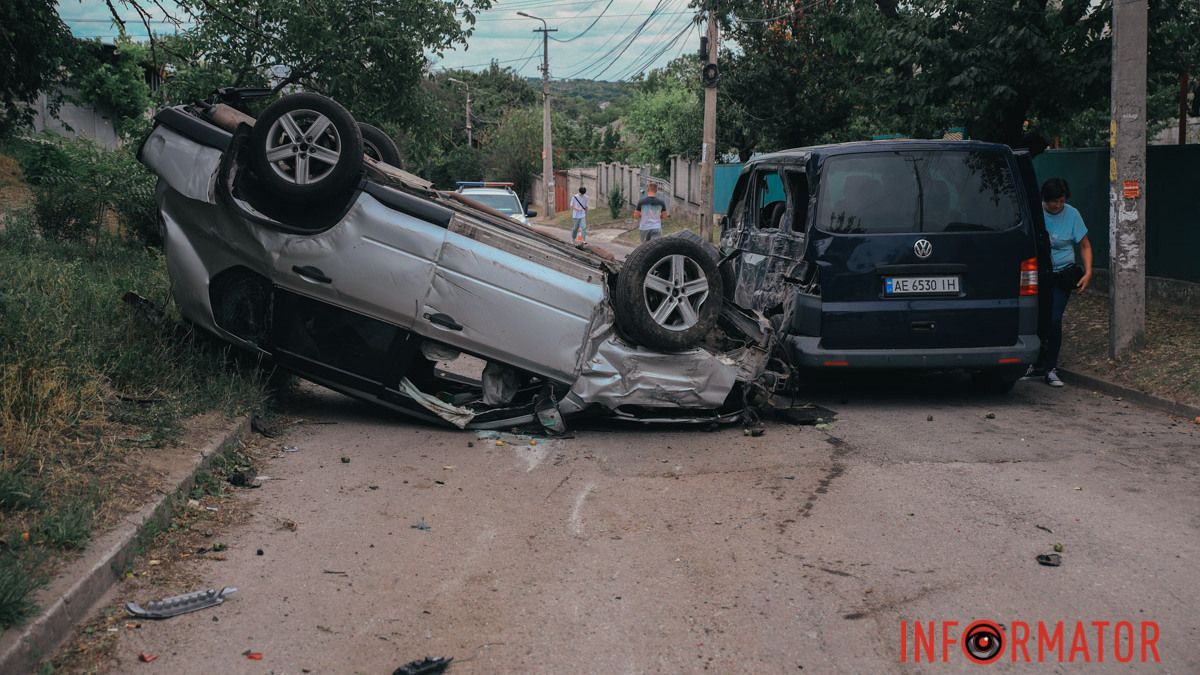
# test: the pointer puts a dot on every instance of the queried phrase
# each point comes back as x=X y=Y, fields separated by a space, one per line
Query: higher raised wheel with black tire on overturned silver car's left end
x=307 y=169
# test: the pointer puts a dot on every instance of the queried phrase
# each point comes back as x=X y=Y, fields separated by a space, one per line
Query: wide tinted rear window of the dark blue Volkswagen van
x=917 y=192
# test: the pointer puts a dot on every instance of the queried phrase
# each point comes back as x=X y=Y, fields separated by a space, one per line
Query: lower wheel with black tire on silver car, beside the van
x=653 y=313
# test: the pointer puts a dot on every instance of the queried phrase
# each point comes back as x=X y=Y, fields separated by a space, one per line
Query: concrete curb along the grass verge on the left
x=70 y=598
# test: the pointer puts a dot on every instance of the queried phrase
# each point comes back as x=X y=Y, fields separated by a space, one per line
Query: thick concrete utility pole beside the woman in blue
x=1127 y=178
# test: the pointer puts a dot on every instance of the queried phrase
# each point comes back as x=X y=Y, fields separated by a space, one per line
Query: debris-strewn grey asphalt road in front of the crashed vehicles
x=631 y=549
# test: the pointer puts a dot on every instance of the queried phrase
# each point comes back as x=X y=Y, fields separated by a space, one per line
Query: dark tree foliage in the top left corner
x=34 y=44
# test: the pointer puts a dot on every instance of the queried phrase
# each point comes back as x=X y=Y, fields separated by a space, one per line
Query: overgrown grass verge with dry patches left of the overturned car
x=87 y=390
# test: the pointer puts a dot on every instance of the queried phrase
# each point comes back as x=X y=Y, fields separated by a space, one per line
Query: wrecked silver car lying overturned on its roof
x=284 y=237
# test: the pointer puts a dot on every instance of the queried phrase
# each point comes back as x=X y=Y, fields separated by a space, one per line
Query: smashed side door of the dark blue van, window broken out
x=772 y=241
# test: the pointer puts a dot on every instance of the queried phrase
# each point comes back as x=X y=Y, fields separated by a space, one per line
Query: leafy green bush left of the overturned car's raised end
x=81 y=189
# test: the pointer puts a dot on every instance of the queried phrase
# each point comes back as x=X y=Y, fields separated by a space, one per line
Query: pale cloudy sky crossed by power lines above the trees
x=628 y=37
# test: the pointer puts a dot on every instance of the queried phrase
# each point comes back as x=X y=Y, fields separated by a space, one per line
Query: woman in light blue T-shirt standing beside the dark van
x=1067 y=234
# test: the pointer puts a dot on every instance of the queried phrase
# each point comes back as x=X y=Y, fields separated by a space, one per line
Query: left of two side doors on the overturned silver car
x=377 y=261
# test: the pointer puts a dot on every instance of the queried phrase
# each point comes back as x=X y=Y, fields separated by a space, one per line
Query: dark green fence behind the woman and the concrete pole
x=1173 y=204
